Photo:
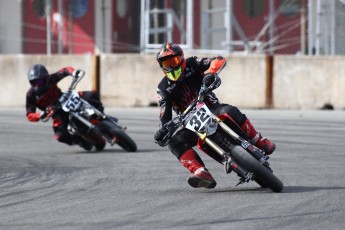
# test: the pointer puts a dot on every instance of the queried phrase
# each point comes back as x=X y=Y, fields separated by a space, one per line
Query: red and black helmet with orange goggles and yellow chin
x=171 y=60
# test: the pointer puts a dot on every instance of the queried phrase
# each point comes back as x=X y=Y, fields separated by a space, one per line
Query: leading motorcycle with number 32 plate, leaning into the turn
x=221 y=138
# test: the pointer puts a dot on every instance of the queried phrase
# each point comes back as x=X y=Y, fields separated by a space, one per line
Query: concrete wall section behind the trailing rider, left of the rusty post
x=14 y=69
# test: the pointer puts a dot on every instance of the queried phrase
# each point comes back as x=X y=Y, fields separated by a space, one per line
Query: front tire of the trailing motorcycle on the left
x=122 y=139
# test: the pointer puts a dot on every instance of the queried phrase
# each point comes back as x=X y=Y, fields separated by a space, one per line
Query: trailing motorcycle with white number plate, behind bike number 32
x=89 y=123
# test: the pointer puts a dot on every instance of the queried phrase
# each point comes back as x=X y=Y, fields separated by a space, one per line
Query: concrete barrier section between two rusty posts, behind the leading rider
x=131 y=80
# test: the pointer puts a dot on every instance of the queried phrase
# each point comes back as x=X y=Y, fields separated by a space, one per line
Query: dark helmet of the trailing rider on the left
x=38 y=78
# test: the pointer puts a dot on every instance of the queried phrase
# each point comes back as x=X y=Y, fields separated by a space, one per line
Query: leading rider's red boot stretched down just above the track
x=201 y=176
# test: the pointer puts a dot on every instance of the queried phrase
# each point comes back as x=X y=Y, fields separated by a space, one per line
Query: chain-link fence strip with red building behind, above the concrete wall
x=314 y=27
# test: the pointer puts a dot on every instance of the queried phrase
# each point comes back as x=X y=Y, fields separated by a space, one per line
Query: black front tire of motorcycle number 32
x=264 y=177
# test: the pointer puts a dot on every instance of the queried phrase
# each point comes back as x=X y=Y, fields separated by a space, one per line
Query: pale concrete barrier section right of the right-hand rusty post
x=309 y=82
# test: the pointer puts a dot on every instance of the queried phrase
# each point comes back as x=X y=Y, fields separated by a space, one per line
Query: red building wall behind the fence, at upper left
x=81 y=37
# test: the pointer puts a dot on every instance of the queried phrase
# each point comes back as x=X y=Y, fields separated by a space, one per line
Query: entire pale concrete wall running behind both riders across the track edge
x=131 y=79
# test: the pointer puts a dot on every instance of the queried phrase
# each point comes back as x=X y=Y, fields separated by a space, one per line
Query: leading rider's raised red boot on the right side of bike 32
x=257 y=139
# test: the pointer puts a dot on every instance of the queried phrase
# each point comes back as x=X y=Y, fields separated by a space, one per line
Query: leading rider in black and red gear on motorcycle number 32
x=180 y=85
